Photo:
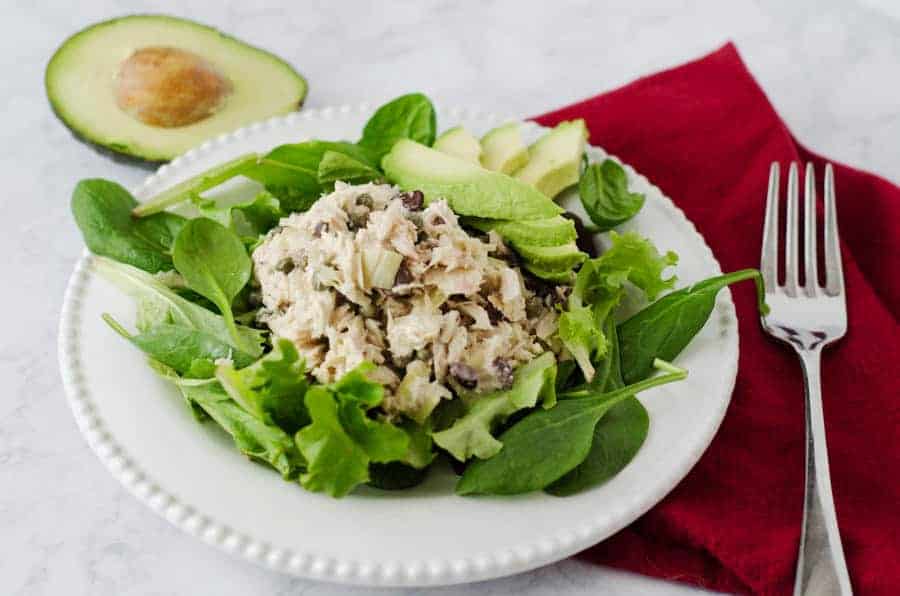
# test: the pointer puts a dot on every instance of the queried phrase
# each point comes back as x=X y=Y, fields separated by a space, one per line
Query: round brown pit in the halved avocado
x=168 y=87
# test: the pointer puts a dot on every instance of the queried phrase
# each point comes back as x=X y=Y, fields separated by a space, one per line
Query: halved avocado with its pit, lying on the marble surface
x=152 y=86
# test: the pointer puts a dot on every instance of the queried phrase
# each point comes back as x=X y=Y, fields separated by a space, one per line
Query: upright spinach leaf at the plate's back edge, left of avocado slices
x=409 y=116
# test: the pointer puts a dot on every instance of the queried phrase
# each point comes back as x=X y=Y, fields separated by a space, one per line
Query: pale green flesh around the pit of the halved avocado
x=78 y=85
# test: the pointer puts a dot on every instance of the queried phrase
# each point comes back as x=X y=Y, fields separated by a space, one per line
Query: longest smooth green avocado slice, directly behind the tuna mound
x=469 y=189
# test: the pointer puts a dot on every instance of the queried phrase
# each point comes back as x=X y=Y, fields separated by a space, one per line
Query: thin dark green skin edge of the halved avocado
x=123 y=153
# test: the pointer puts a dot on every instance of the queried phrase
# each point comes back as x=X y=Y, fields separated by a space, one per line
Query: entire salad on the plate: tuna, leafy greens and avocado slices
x=361 y=312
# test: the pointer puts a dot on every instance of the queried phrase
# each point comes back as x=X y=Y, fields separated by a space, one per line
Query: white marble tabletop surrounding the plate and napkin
x=65 y=525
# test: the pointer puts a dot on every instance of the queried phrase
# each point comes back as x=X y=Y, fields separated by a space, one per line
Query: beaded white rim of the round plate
x=481 y=566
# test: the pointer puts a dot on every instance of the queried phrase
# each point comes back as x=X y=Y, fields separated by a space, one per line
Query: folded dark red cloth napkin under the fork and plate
x=705 y=133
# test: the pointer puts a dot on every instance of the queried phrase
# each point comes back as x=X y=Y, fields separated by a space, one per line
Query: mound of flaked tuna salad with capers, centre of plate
x=370 y=273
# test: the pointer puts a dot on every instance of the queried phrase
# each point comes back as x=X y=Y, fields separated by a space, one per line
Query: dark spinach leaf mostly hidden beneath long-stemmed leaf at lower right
x=617 y=437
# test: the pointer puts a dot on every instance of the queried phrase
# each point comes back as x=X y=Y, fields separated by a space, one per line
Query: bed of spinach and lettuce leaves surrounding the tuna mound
x=563 y=426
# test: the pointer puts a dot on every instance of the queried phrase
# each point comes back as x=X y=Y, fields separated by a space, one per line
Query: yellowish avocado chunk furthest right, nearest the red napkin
x=555 y=158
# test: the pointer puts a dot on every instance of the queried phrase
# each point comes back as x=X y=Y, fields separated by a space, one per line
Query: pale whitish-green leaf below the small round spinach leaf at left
x=159 y=304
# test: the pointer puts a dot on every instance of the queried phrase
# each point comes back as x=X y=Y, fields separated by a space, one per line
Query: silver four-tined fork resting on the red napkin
x=808 y=317
